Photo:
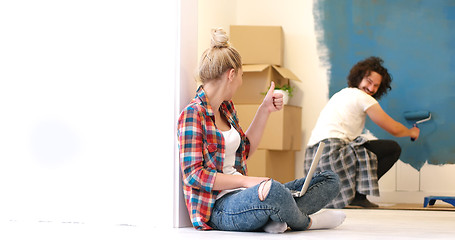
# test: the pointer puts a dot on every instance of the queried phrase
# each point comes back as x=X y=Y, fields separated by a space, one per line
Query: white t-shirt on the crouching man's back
x=343 y=116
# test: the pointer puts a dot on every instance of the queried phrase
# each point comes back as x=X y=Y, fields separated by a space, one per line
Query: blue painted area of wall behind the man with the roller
x=416 y=39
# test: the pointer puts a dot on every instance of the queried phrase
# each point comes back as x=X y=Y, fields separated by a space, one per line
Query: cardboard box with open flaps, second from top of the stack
x=256 y=82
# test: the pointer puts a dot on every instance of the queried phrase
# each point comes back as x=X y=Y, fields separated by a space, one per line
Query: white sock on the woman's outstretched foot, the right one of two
x=327 y=219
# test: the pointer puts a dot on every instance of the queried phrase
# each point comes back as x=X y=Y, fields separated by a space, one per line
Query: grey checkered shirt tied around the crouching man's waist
x=355 y=165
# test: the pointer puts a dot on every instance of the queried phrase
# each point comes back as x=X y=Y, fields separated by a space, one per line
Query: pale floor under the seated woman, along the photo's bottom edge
x=359 y=224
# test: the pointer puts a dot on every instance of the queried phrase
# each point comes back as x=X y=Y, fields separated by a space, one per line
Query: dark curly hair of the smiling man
x=364 y=68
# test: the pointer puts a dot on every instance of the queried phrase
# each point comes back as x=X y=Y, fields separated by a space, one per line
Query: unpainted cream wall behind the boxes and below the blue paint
x=402 y=183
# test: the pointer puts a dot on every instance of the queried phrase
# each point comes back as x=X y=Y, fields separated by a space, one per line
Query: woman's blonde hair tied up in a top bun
x=218 y=58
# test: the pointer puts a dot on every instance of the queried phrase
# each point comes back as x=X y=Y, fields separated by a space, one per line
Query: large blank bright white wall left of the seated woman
x=86 y=91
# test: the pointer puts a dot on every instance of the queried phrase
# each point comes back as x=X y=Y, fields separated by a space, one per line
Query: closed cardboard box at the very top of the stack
x=258 y=44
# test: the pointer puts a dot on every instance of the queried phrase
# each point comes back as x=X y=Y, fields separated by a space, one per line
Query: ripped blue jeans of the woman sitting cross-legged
x=243 y=211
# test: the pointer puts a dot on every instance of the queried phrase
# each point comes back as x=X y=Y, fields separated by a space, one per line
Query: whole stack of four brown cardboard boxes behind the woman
x=261 y=48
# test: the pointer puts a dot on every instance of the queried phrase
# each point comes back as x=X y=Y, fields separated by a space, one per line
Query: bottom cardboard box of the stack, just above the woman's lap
x=279 y=165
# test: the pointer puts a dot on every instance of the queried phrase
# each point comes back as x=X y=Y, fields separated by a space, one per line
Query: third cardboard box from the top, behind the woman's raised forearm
x=283 y=130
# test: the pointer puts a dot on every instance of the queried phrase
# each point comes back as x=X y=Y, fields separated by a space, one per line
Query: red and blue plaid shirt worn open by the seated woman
x=201 y=150
